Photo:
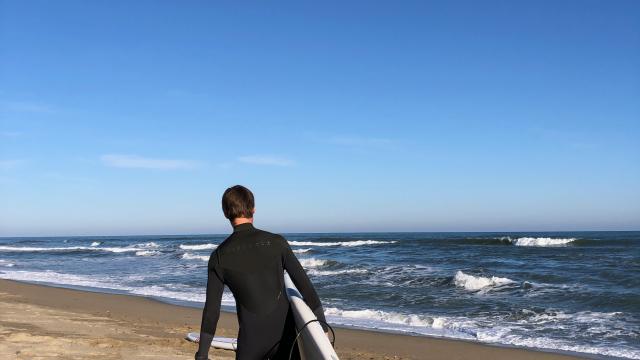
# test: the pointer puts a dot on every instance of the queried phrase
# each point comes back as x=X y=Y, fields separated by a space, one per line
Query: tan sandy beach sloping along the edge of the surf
x=159 y=327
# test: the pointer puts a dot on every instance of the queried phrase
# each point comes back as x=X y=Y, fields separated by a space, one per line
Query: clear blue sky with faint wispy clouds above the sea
x=133 y=117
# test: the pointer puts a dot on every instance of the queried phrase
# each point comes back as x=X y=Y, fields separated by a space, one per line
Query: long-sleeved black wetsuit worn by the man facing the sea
x=251 y=263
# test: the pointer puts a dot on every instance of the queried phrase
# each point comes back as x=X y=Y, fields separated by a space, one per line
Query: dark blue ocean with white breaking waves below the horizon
x=568 y=291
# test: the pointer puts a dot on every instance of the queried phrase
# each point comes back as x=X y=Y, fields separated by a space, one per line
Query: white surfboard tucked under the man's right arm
x=313 y=342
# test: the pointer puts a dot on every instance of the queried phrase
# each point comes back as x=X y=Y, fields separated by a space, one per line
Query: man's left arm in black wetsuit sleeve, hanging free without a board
x=211 y=311
